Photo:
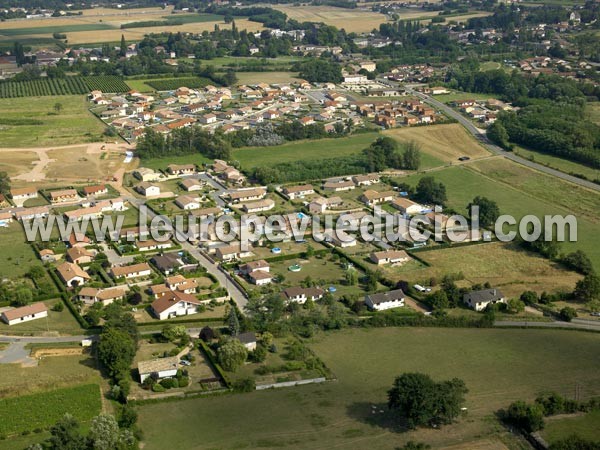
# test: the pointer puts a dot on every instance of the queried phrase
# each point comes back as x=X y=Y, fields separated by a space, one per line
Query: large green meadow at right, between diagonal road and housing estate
x=520 y=191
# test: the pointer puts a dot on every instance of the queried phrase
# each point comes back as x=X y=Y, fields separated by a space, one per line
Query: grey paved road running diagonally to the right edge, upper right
x=480 y=136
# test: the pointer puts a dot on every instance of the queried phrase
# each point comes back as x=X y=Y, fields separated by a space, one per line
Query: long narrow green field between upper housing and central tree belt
x=251 y=157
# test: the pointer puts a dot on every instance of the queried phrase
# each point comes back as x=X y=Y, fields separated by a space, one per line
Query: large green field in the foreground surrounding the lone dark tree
x=498 y=366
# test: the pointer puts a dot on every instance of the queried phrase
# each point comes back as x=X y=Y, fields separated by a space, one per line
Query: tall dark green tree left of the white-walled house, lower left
x=116 y=351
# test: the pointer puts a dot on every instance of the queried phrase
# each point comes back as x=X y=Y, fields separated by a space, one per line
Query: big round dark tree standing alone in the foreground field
x=420 y=400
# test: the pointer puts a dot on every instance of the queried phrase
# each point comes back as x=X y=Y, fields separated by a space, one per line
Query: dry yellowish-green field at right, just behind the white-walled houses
x=504 y=265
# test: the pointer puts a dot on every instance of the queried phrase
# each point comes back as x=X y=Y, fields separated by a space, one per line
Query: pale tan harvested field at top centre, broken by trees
x=352 y=20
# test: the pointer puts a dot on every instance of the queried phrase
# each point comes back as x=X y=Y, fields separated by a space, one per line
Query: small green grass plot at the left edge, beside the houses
x=17 y=255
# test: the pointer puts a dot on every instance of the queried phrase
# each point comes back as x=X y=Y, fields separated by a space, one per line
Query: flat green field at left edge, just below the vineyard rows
x=73 y=125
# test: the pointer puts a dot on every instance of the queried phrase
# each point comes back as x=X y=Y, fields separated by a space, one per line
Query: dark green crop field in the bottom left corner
x=42 y=410
